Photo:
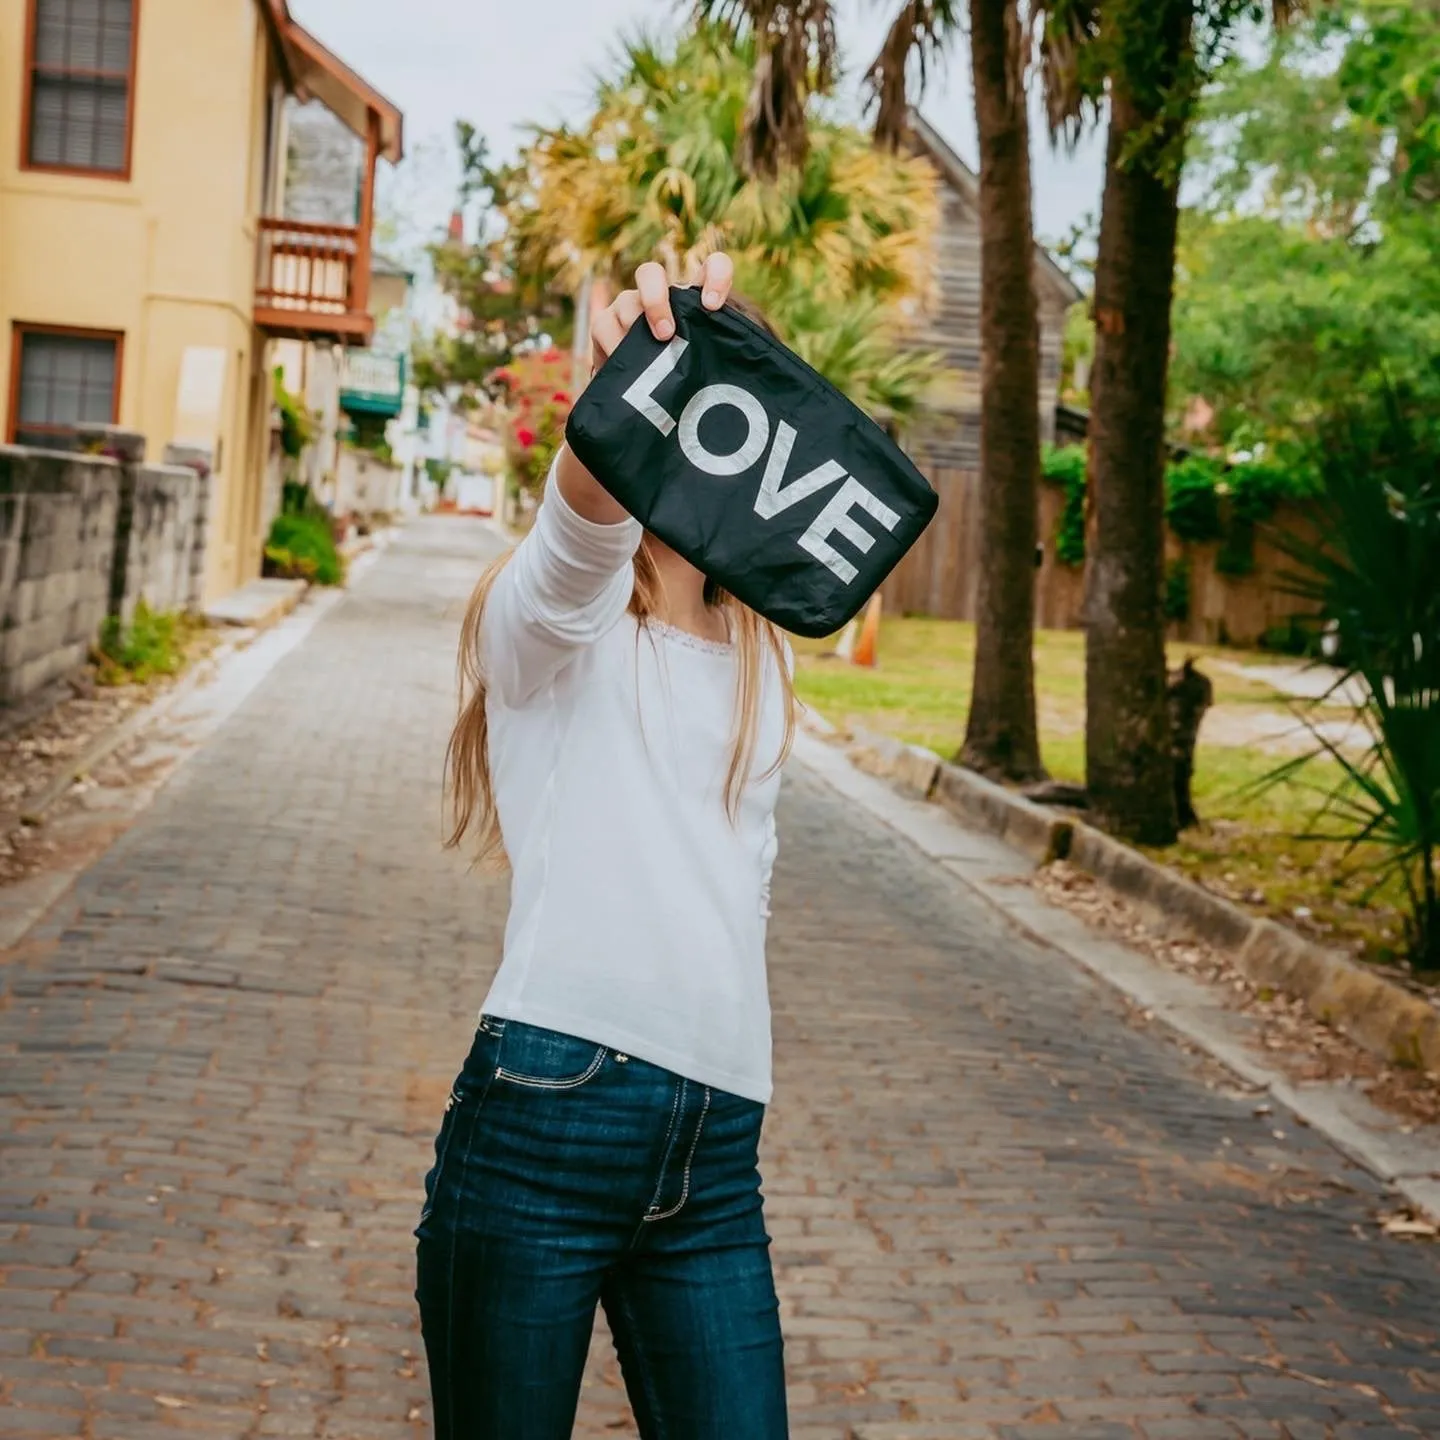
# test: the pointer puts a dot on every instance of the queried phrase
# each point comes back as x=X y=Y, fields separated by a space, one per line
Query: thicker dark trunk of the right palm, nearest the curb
x=1130 y=771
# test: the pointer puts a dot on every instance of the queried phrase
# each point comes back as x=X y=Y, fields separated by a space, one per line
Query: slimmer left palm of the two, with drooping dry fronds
x=796 y=47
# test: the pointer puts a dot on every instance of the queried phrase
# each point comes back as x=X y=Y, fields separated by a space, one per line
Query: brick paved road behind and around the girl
x=1000 y=1210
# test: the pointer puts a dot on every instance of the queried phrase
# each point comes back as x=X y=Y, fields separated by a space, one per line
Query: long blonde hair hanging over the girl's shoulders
x=469 y=783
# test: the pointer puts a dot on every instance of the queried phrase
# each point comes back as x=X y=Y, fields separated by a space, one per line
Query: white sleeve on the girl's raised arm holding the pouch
x=567 y=585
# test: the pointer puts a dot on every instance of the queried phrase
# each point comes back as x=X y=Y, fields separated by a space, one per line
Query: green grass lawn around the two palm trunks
x=1245 y=849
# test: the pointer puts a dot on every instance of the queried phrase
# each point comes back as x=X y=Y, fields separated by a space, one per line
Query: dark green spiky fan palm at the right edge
x=1376 y=577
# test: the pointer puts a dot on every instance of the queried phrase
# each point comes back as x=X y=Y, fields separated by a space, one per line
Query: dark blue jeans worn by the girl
x=568 y=1176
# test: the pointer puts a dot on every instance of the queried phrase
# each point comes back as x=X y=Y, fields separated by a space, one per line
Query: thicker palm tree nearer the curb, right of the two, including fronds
x=1148 y=61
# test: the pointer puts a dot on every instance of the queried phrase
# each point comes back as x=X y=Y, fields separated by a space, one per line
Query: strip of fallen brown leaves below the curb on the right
x=1300 y=1045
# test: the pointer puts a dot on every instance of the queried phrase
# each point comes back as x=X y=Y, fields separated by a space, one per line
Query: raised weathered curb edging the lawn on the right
x=1377 y=1014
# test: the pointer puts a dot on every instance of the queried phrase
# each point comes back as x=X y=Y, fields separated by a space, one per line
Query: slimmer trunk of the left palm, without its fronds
x=1002 y=737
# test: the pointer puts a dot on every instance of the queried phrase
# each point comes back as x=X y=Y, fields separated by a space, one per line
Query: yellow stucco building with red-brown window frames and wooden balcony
x=146 y=266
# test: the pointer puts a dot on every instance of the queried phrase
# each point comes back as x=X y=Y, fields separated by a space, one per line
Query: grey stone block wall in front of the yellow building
x=83 y=538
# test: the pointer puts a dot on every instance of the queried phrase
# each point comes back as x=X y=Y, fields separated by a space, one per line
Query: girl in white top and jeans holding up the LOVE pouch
x=621 y=737
